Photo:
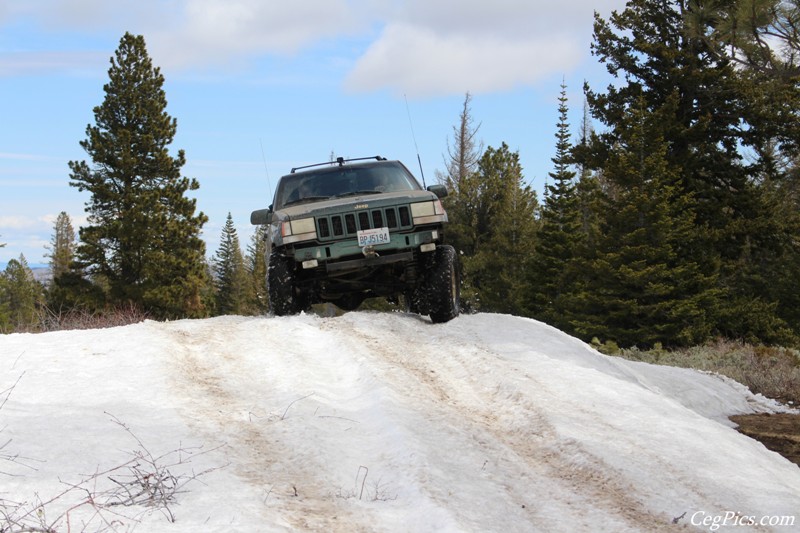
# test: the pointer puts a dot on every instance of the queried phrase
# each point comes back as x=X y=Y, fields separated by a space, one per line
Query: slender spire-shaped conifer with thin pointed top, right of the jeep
x=559 y=234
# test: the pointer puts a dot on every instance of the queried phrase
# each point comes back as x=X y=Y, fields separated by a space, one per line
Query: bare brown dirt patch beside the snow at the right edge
x=778 y=432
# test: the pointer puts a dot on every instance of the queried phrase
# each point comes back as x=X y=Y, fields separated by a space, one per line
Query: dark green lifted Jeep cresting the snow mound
x=347 y=230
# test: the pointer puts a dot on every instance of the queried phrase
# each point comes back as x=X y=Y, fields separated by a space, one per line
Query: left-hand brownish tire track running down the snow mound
x=252 y=441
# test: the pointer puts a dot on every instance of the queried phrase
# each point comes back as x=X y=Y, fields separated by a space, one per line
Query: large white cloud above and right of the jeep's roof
x=432 y=47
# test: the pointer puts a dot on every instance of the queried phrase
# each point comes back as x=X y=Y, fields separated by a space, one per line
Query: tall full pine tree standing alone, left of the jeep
x=143 y=236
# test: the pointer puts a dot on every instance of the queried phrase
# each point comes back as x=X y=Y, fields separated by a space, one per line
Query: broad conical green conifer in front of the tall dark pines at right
x=642 y=287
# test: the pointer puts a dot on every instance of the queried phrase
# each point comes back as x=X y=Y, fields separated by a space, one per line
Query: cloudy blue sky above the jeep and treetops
x=260 y=86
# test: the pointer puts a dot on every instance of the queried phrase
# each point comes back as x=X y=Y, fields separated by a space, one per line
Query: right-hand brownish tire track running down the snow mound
x=532 y=440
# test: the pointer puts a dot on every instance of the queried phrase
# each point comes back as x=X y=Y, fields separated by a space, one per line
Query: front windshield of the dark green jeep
x=340 y=181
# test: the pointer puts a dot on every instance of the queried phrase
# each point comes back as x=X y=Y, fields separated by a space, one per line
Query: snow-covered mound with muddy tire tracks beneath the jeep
x=374 y=422
